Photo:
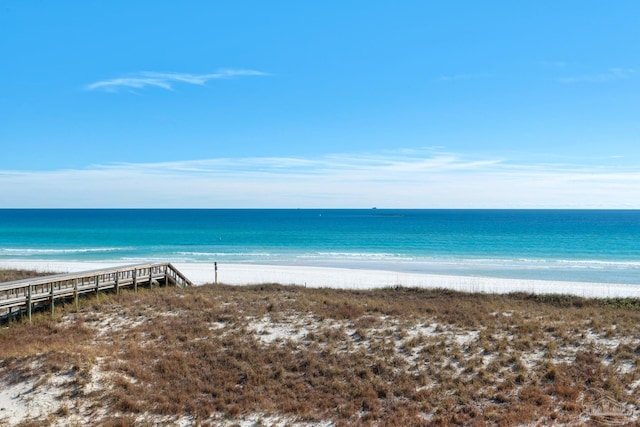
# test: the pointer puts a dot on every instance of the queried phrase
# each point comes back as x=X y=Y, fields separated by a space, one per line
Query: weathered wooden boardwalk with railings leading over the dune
x=23 y=296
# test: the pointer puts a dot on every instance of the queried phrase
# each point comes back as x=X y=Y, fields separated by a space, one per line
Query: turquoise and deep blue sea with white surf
x=596 y=246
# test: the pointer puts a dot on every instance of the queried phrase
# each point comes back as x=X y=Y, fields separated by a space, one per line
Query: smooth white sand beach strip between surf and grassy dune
x=347 y=278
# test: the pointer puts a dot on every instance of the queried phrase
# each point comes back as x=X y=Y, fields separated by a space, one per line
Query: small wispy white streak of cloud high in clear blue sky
x=167 y=80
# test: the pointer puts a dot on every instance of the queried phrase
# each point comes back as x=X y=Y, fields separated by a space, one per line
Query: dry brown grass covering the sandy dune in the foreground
x=396 y=357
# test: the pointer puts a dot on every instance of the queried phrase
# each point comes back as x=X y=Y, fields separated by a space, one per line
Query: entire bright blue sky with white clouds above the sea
x=424 y=104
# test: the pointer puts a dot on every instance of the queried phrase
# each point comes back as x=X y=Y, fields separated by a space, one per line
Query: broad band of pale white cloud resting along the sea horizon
x=418 y=180
